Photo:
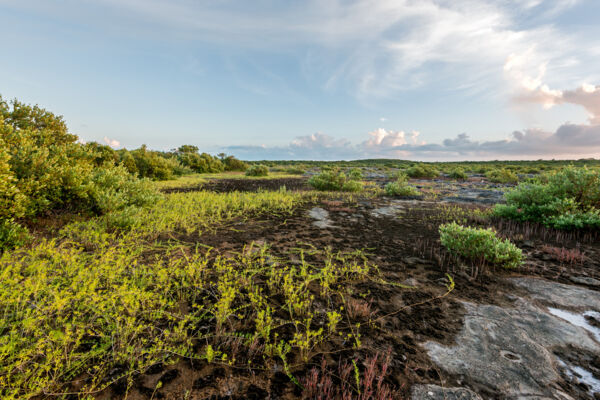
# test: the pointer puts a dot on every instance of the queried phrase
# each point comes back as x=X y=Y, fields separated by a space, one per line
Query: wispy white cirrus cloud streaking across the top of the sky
x=372 y=48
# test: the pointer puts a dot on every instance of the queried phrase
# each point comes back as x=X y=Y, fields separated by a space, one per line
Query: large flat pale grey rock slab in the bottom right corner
x=511 y=351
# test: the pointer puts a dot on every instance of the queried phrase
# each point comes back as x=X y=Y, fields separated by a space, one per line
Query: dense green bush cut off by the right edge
x=564 y=199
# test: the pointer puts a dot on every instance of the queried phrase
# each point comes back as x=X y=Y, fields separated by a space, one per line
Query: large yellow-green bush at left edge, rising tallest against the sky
x=43 y=167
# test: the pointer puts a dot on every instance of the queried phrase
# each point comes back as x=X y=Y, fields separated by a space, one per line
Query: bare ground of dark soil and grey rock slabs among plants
x=530 y=333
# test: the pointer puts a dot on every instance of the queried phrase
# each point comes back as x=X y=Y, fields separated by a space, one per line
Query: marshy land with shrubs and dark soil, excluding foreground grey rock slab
x=144 y=274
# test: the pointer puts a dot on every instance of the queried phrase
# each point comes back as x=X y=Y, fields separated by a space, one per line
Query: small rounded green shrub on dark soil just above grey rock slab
x=480 y=245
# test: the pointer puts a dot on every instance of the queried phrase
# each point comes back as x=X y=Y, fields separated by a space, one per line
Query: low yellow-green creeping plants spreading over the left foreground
x=69 y=313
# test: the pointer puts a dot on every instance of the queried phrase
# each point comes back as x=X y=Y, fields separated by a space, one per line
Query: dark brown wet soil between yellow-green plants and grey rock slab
x=402 y=240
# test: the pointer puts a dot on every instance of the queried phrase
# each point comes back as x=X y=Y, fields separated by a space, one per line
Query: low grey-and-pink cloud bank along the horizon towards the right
x=568 y=141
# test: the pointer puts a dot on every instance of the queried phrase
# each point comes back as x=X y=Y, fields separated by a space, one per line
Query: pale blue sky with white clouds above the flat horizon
x=314 y=79
